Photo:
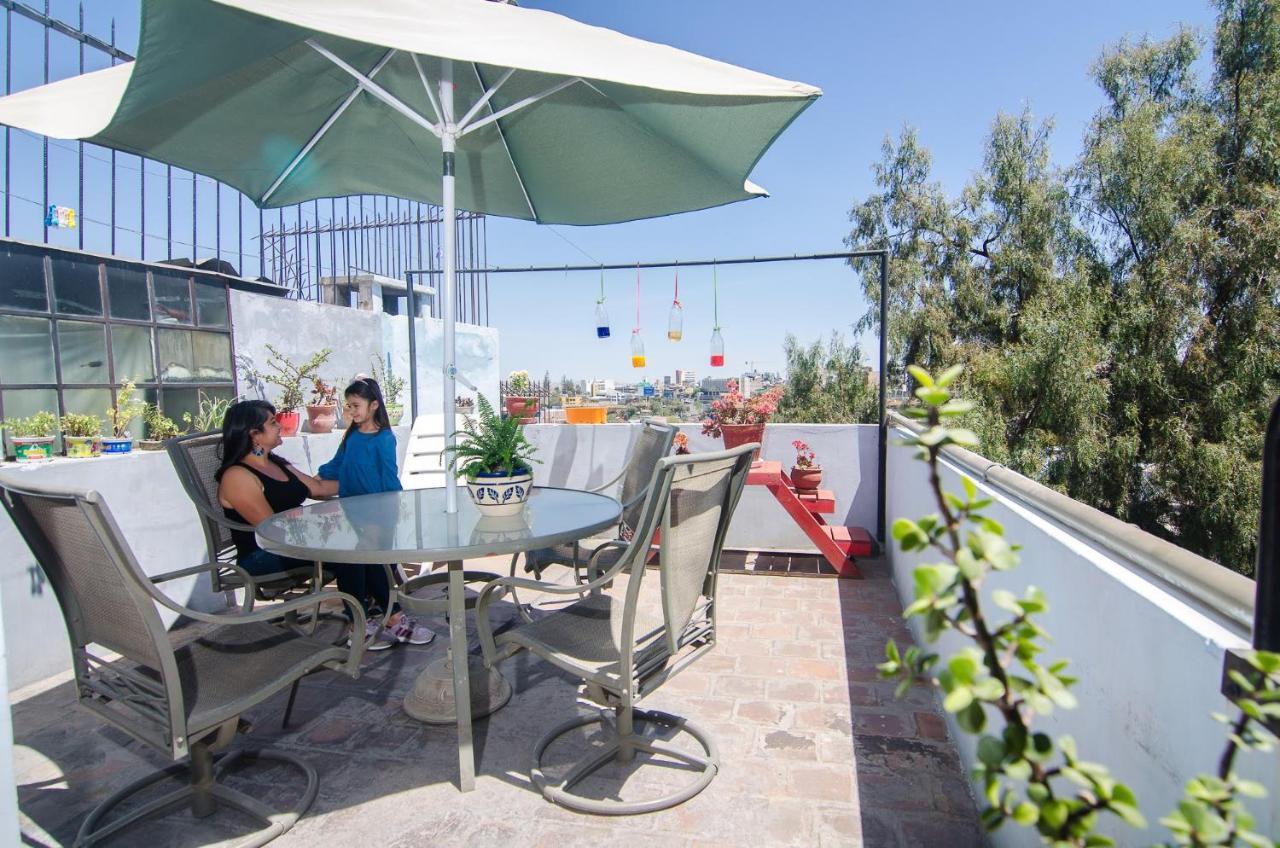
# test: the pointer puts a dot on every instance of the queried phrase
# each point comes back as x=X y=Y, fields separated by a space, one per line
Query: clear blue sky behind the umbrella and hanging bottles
x=945 y=69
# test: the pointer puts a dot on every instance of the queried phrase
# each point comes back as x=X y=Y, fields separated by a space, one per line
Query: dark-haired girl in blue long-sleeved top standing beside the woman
x=365 y=464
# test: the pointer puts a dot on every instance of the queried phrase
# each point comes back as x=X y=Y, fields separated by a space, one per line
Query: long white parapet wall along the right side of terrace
x=1150 y=665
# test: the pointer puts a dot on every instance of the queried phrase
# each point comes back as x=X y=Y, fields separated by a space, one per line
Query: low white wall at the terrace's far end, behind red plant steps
x=588 y=455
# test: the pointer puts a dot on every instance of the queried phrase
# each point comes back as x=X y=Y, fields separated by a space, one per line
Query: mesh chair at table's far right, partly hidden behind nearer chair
x=633 y=485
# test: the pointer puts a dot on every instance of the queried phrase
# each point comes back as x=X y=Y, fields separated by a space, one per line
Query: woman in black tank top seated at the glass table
x=254 y=485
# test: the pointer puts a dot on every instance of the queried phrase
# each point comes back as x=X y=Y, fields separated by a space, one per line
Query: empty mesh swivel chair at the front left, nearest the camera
x=184 y=701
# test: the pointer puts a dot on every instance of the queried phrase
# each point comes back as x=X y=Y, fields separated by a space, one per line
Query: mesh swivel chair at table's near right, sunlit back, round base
x=620 y=649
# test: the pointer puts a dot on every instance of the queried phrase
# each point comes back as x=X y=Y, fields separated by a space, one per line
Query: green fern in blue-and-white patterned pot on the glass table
x=495 y=455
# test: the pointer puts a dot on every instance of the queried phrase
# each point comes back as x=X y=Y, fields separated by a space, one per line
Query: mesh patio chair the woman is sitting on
x=196 y=459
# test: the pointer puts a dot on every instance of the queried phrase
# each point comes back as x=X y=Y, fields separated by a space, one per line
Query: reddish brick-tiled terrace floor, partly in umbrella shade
x=815 y=750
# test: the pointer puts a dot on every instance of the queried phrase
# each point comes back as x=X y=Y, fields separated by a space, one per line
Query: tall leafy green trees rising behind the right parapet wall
x=1122 y=317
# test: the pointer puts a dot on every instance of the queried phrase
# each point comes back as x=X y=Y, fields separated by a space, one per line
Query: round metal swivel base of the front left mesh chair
x=204 y=800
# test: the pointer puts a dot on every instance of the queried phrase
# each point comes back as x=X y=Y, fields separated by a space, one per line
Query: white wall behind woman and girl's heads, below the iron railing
x=355 y=338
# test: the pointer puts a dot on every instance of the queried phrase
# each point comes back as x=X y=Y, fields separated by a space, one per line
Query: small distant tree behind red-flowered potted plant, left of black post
x=828 y=384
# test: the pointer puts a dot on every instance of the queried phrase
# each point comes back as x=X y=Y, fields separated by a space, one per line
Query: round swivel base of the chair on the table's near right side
x=707 y=767
